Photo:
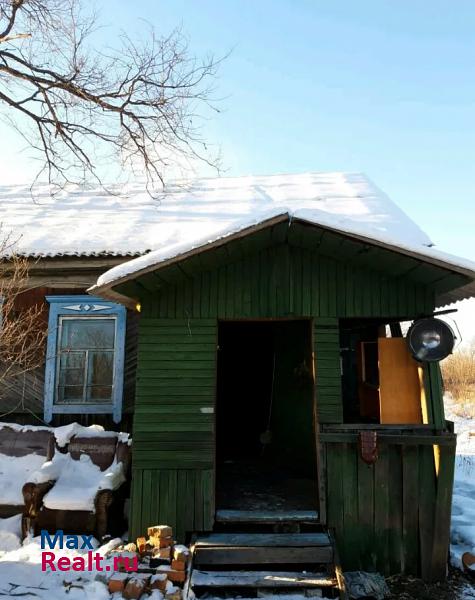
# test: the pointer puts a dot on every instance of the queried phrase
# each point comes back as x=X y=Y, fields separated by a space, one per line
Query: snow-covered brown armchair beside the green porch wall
x=88 y=491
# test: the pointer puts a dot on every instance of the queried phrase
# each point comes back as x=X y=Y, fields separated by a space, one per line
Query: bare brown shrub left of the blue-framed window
x=23 y=329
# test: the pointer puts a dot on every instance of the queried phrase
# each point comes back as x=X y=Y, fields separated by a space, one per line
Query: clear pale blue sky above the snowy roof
x=382 y=87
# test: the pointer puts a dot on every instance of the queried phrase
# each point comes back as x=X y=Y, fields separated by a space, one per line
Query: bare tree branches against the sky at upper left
x=78 y=105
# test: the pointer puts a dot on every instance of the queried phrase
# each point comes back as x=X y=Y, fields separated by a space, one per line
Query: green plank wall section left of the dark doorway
x=173 y=455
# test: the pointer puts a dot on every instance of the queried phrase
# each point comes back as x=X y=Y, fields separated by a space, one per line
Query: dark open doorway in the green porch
x=266 y=451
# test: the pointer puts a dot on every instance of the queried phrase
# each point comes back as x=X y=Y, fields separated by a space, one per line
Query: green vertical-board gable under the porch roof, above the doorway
x=284 y=281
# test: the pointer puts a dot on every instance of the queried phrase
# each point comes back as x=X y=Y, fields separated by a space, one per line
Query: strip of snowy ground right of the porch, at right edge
x=463 y=504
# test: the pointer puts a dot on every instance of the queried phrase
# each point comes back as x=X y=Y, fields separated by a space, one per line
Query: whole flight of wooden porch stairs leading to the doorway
x=260 y=564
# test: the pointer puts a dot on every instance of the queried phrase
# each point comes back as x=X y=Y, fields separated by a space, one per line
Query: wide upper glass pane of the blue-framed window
x=87 y=334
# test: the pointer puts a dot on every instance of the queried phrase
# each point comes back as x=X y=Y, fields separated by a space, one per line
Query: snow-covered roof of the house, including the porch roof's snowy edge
x=129 y=222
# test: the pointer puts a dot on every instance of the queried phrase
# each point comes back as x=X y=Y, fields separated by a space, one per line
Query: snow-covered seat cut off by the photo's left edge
x=22 y=452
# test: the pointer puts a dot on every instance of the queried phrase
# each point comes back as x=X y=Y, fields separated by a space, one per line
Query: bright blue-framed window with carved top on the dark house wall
x=84 y=357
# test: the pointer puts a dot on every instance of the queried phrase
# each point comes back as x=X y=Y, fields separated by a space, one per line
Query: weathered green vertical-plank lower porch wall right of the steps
x=392 y=516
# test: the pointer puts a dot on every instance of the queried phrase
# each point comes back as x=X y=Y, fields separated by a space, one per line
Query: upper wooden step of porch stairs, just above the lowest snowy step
x=263 y=549
